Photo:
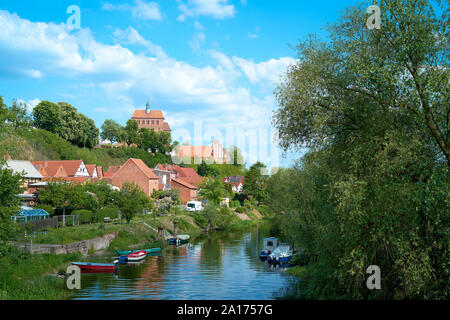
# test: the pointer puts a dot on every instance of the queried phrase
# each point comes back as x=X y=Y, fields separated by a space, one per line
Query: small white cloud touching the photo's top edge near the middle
x=218 y=9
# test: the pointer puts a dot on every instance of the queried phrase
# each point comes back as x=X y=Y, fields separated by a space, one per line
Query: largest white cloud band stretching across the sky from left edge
x=216 y=95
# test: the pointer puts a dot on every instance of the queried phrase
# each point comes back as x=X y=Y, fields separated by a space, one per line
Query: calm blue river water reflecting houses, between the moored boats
x=225 y=266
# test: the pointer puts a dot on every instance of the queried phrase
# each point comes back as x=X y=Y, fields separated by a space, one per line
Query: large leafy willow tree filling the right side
x=373 y=108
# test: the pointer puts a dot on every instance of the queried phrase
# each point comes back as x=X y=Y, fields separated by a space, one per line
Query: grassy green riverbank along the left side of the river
x=41 y=276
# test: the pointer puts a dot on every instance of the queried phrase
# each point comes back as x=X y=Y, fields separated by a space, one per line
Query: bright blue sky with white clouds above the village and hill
x=211 y=66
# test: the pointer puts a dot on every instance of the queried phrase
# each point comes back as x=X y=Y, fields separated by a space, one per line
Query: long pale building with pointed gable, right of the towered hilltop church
x=210 y=154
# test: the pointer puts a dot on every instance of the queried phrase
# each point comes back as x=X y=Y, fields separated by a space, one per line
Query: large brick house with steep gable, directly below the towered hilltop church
x=135 y=170
